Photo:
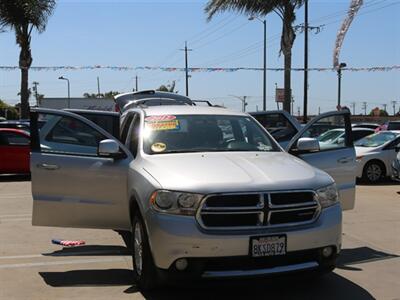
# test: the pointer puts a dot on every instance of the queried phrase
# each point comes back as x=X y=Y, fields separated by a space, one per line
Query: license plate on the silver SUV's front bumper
x=271 y=245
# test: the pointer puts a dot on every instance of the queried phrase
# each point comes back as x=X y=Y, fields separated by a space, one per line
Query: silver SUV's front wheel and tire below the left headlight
x=144 y=269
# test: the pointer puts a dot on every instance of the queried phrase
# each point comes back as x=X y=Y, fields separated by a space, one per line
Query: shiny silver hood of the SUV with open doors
x=233 y=171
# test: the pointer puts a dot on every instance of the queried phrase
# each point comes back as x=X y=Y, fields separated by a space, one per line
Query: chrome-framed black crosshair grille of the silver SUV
x=258 y=210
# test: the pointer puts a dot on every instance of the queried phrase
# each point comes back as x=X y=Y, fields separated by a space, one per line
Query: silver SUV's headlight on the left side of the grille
x=178 y=203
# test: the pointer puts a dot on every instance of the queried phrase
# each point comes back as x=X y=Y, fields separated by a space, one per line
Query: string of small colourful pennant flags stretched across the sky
x=171 y=69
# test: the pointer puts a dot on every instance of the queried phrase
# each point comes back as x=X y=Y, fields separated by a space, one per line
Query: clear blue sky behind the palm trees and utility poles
x=150 y=33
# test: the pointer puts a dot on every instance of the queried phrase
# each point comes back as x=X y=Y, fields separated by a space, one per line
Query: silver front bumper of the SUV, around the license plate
x=173 y=237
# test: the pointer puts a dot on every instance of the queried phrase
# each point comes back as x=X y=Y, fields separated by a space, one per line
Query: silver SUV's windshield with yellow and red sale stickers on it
x=204 y=133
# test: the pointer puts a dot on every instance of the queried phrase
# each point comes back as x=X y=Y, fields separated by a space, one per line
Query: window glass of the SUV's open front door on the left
x=67 y=135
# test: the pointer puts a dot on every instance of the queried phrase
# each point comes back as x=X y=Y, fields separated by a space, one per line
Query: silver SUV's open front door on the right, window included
x=336 y=156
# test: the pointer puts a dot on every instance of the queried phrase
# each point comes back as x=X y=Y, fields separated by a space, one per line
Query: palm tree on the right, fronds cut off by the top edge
x=285 y=9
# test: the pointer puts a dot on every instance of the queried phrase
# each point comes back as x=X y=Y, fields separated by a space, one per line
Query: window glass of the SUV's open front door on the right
x=330 y=132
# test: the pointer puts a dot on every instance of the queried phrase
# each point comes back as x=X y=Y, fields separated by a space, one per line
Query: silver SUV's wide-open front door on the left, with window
x=79 y=173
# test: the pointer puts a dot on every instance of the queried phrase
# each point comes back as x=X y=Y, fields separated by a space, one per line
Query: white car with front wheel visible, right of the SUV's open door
x=375 y=154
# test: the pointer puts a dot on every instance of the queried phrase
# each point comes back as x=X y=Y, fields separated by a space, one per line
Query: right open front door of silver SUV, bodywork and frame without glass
x=338 y=161
